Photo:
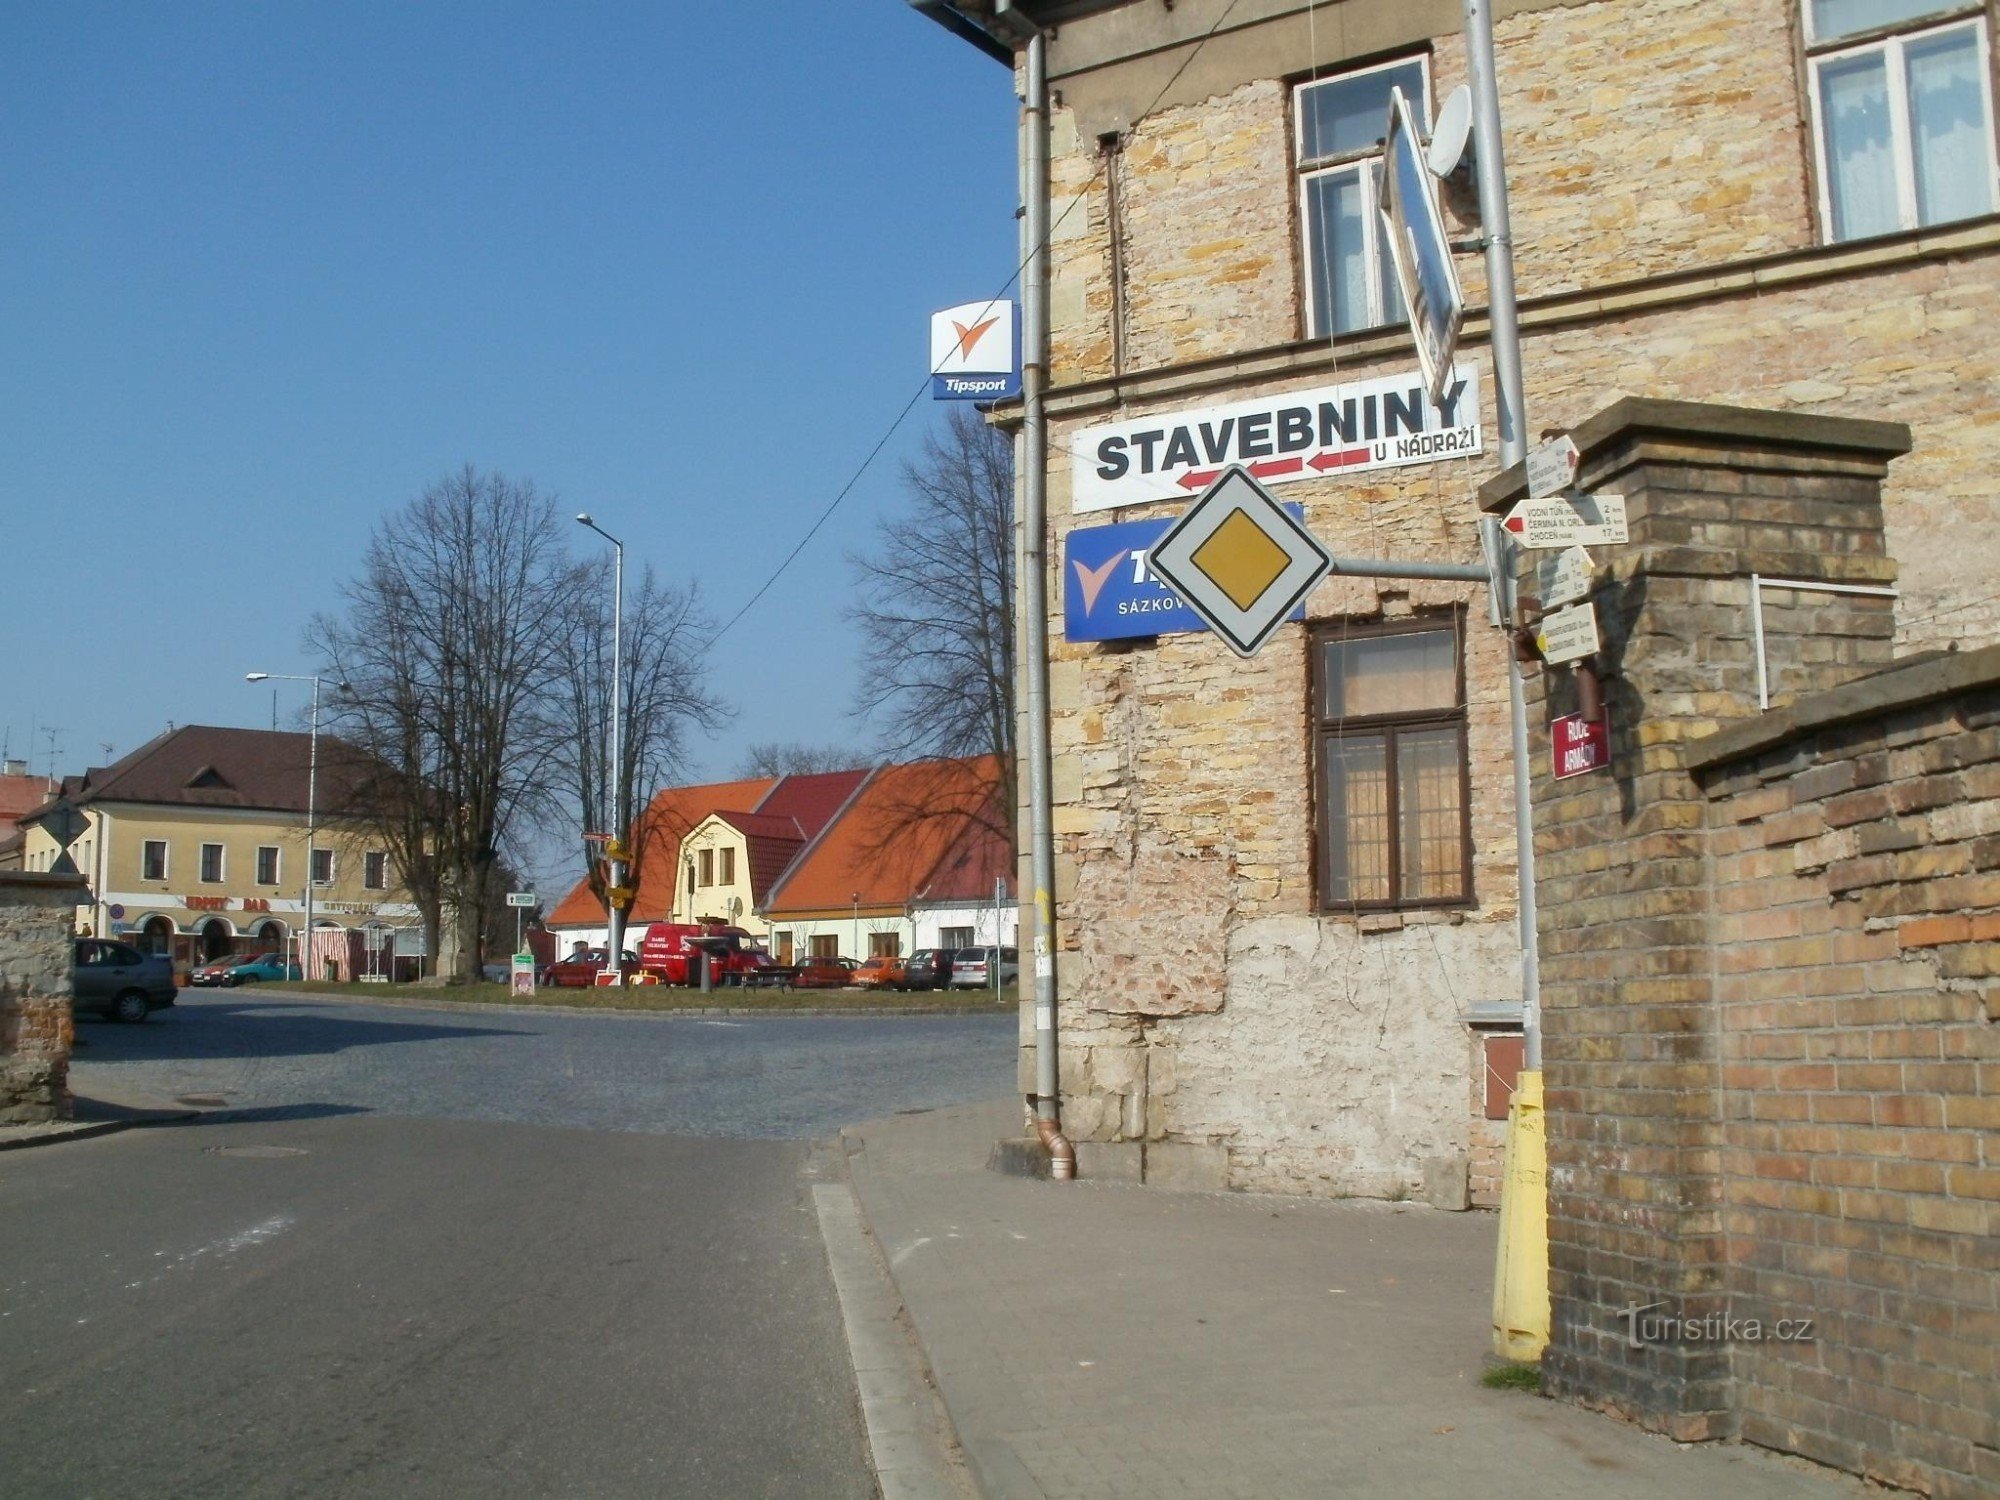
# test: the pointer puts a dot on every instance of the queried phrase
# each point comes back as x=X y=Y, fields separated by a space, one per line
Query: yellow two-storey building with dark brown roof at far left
x=195 y=845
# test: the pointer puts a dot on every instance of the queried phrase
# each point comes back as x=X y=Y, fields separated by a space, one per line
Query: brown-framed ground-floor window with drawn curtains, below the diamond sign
x=1391 y=765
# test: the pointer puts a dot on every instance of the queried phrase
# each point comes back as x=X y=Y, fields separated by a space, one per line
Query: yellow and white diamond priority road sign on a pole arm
x=1241 y=561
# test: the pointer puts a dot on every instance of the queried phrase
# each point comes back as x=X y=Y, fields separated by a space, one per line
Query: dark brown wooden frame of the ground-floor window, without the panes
x=1325 y=727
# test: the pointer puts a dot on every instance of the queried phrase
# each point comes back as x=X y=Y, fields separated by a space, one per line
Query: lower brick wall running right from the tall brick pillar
x=1857 y=881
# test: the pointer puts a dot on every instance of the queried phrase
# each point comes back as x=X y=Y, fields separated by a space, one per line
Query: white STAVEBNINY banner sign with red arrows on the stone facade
x=1301 y=435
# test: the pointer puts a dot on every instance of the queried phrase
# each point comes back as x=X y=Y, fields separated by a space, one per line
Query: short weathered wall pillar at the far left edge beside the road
x=37 y=959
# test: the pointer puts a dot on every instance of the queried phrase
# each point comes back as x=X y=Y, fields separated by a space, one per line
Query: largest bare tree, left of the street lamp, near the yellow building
x=449 y=637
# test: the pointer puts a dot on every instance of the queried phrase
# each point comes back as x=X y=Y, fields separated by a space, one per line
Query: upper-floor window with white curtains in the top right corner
x=1903 y=115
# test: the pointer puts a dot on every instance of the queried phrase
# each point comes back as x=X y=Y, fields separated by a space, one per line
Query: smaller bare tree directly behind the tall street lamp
x=667 y=699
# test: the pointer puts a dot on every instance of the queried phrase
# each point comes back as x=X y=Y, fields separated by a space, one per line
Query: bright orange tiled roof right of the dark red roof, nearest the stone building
x=895 y=839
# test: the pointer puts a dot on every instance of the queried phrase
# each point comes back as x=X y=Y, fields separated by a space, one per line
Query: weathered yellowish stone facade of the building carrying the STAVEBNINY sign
x=1685 y=229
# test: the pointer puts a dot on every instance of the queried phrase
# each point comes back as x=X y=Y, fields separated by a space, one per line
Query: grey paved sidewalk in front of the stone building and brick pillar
x=1109 y=1341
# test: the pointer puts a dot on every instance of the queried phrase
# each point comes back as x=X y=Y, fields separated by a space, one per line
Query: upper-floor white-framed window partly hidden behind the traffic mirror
x=1339 y=147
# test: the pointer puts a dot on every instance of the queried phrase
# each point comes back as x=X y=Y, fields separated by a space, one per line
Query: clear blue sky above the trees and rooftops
x=269 y=271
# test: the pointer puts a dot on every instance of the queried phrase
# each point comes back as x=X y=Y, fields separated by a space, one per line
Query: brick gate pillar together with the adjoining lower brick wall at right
x=1769 y=1049
